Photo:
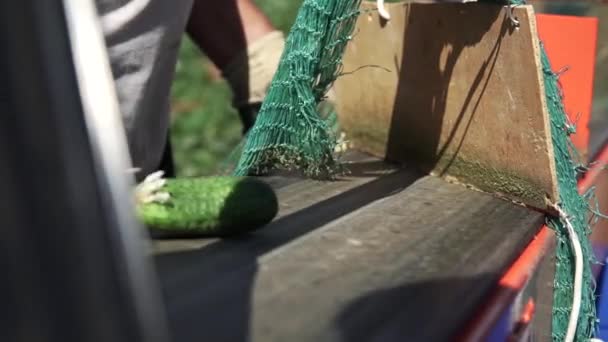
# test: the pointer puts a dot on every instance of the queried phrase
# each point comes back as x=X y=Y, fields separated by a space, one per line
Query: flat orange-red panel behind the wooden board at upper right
x=571 y=44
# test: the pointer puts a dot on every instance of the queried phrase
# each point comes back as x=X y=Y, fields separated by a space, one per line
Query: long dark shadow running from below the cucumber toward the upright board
x=208 y=290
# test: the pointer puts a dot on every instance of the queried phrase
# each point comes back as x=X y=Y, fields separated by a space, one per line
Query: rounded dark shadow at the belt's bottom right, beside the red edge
x=356 y=323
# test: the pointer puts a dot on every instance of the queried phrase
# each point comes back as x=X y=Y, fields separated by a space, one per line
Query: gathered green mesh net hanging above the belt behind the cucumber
x=289 y=133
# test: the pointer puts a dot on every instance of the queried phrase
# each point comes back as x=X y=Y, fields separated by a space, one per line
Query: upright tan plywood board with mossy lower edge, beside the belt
x=455 y=90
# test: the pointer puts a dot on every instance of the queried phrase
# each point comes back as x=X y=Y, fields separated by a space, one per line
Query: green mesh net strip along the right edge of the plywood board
x=576 y=206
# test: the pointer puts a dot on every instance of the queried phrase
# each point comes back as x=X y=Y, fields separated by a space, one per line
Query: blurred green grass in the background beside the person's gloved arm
x=206 y=127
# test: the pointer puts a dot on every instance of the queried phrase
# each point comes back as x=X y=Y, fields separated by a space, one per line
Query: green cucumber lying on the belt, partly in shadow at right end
x=212 y=206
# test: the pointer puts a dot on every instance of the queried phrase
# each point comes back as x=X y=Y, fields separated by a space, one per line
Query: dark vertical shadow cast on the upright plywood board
x=425 y=77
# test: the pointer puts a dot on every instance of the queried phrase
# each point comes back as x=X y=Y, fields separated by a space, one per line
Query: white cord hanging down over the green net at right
x=578 y=277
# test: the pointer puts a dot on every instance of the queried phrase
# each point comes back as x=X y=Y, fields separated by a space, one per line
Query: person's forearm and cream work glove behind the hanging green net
x=240 y=40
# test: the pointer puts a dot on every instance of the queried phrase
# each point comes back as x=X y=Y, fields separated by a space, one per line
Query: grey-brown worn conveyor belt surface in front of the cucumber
x=383 y=254
